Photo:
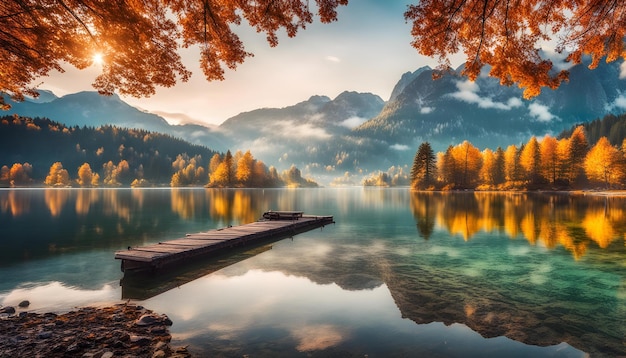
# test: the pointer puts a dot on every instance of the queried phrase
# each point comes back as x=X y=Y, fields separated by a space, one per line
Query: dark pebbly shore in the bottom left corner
x=122 y=330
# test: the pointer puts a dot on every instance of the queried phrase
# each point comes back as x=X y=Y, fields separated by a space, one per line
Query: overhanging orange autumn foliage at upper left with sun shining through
x=138 y=41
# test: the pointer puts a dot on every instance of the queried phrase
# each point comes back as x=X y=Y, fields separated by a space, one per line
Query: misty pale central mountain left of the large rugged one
x=315 y=134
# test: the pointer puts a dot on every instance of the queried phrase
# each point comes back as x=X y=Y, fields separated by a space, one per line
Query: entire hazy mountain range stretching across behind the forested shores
x=357 y=133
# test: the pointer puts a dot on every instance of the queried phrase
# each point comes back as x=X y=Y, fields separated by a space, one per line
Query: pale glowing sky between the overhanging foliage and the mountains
x=367 y=50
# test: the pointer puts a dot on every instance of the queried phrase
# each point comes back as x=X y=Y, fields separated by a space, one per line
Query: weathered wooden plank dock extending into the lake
x=273 y=224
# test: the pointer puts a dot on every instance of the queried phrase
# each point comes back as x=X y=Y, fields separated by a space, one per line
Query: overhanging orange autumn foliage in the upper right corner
x=508 y=36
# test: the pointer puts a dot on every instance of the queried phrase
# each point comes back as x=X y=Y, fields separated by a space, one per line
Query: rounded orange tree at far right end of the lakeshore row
x=604 y=163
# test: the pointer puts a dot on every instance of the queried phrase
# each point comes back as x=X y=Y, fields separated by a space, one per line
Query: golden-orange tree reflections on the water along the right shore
x=572 y=221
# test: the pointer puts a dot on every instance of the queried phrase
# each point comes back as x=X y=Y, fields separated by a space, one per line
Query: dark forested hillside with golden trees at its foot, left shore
x=40 y=151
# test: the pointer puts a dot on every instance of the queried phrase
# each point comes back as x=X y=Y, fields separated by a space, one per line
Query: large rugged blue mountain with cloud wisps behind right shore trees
x=451 y=109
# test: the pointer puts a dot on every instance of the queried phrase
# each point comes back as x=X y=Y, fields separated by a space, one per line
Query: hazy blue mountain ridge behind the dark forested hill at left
x=91 y=109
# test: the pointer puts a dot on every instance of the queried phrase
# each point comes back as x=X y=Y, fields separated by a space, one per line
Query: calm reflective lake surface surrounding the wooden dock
x=400 y=274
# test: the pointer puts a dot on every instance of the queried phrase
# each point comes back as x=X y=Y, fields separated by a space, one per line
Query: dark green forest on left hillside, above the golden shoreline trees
x=119 y=155
